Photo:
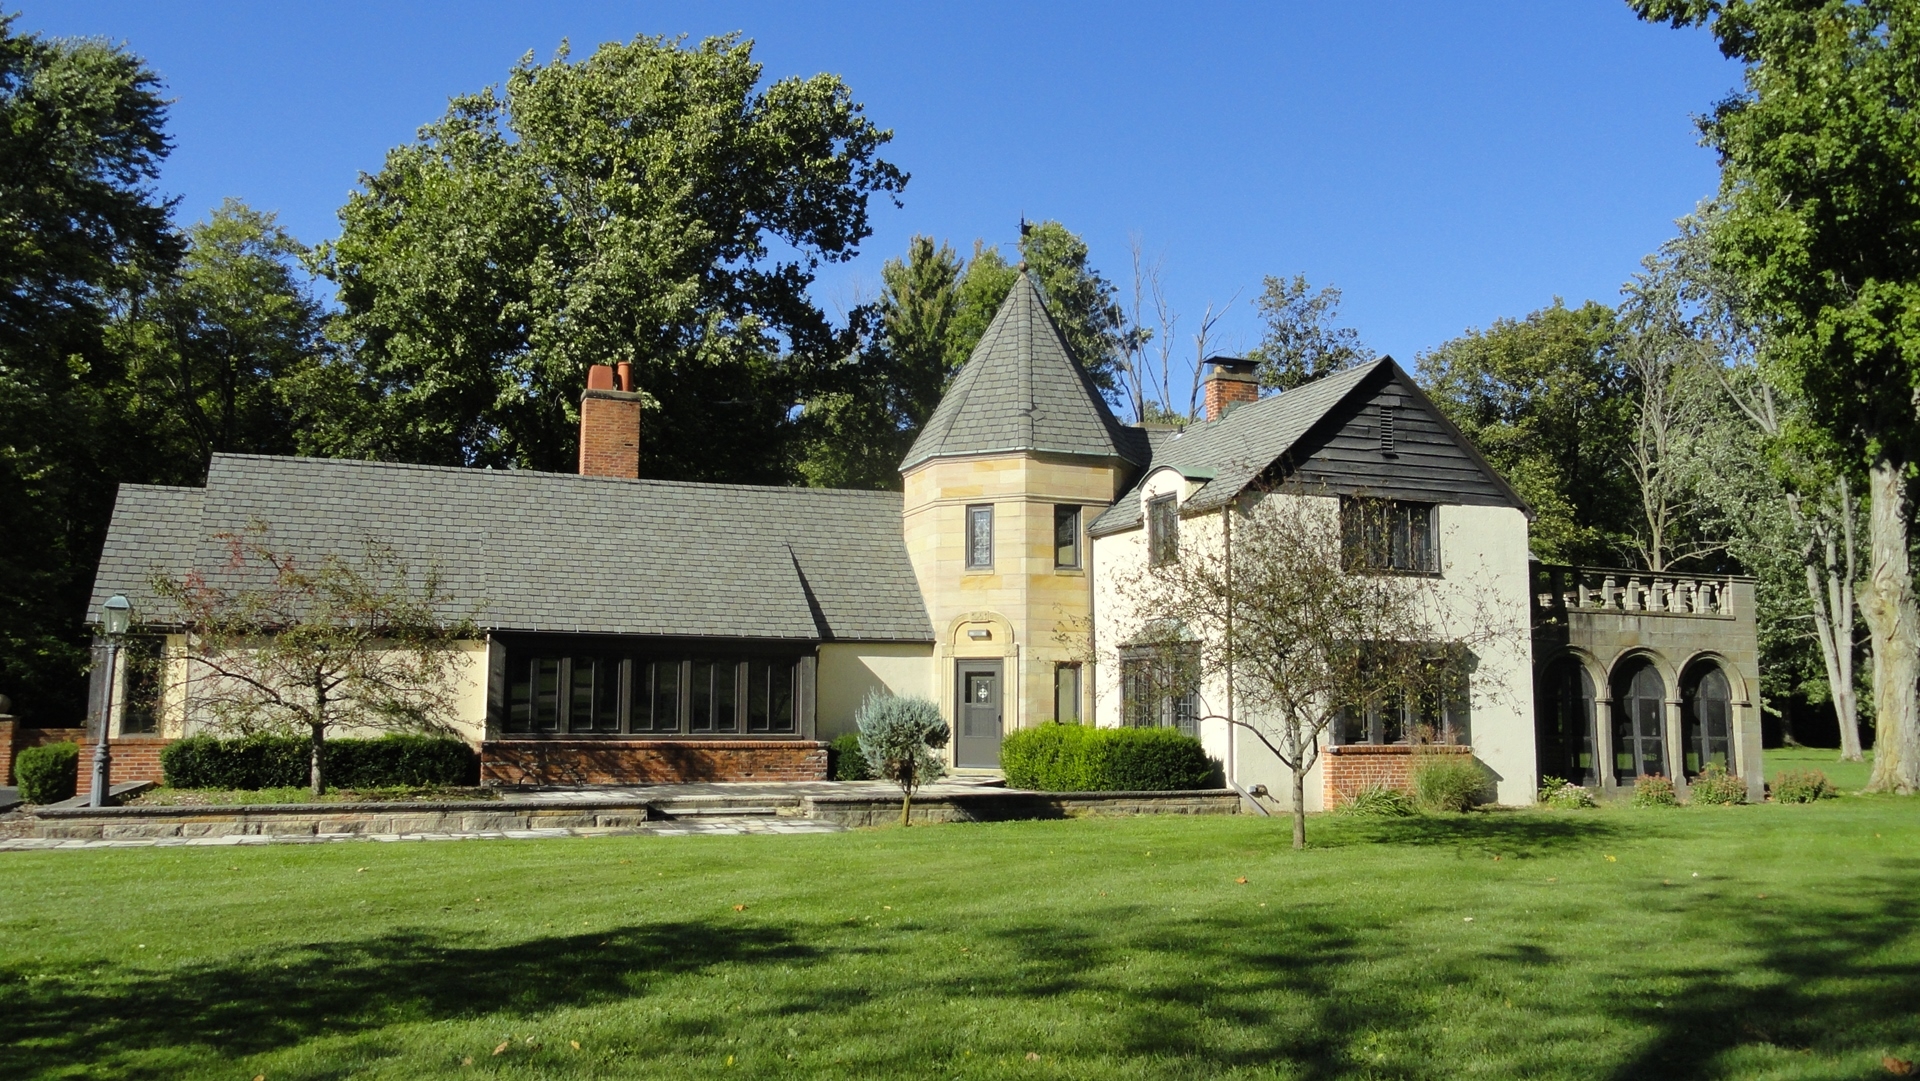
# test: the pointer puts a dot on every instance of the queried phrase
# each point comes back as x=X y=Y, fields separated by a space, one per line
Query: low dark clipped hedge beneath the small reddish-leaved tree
x=281 y=761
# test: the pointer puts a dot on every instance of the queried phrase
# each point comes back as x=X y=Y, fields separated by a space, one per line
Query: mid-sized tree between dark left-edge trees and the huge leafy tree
x=216 y=350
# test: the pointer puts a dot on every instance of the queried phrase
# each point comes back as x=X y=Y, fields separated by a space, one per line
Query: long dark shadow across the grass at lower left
x=281 y=997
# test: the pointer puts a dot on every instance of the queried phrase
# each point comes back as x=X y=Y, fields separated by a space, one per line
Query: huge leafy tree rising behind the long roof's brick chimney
x=652 y=203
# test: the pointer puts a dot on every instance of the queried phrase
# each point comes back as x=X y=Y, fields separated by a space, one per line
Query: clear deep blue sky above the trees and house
x=1443 y=164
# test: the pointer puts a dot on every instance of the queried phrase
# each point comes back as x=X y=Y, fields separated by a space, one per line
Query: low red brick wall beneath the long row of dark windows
x=650 y=761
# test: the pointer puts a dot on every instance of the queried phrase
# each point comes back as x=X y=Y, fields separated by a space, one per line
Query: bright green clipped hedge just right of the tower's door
x=1074 y=757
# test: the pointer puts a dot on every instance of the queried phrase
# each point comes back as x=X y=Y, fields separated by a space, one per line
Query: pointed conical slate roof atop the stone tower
x=1022 y=393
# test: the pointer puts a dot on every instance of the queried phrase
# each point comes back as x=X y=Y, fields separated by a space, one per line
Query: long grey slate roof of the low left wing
x=540 y=552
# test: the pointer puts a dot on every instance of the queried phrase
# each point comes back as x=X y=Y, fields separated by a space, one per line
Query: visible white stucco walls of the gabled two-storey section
x=1483 y=587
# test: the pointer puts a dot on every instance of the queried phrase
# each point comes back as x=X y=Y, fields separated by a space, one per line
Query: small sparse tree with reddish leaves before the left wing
x=276 y=644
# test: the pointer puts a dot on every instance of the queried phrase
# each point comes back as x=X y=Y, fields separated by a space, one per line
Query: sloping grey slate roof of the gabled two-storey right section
x=1234 y=452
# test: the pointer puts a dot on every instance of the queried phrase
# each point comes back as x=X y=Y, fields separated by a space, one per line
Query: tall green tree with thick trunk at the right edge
x=1821 y=210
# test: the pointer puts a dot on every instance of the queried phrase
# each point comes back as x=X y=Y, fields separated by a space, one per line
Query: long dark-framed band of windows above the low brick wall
x=644 y=696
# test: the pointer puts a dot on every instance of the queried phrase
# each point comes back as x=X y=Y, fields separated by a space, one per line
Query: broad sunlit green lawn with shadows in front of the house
x=1756 y=942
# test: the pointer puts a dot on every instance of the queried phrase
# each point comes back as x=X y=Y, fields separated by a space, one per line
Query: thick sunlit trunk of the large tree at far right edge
x=1894 y=623
